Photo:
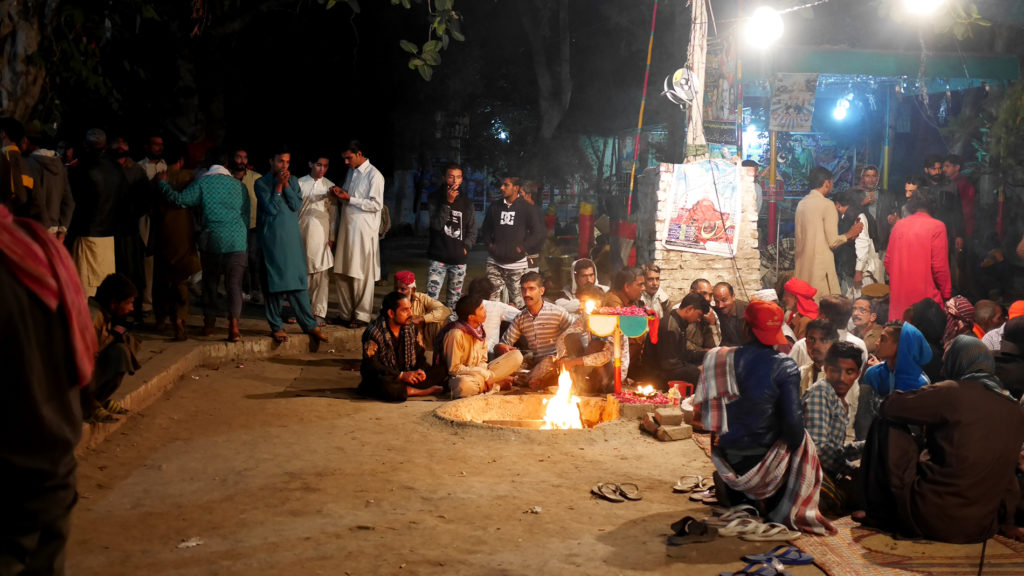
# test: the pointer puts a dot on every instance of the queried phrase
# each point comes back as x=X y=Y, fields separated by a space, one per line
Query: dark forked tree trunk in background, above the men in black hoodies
x=549 y=49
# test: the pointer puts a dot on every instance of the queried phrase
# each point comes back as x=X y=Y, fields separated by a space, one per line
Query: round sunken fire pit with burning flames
x=560 y=412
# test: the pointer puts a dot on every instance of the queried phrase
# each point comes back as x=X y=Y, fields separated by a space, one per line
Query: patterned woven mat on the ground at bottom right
x=861 y=552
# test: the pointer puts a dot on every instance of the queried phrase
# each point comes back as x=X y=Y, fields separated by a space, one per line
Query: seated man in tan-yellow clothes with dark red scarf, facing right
x=465 y=353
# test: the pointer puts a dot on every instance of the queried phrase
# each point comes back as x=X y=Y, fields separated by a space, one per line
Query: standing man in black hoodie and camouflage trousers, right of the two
x=511 y=231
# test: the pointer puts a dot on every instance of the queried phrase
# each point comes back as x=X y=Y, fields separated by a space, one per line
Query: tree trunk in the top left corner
x=21 y=79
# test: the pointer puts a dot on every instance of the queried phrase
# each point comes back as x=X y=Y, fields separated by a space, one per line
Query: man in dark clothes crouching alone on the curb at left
x=115 y=300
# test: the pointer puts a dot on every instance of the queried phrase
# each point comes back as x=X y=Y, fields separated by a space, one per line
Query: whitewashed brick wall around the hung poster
x=680 y=269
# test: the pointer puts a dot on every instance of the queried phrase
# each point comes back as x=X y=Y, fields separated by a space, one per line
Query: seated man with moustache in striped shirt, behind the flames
x=541 y=323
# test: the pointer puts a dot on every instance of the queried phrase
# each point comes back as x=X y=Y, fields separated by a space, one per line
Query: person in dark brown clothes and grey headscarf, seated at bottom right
x=965 y=490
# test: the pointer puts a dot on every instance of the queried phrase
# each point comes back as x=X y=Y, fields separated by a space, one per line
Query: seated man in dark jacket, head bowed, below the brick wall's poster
x=677 y=356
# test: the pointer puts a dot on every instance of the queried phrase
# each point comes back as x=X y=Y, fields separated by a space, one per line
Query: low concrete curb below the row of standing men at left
x=160 y=374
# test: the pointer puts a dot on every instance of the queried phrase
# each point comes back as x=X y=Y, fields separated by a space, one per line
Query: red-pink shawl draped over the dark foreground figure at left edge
x=46 y=269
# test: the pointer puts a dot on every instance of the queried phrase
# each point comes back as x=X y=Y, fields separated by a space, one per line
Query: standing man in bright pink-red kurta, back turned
x=918 y=259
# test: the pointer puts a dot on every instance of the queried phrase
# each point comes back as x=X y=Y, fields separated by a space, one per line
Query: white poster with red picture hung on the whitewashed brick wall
x=706 y=209
